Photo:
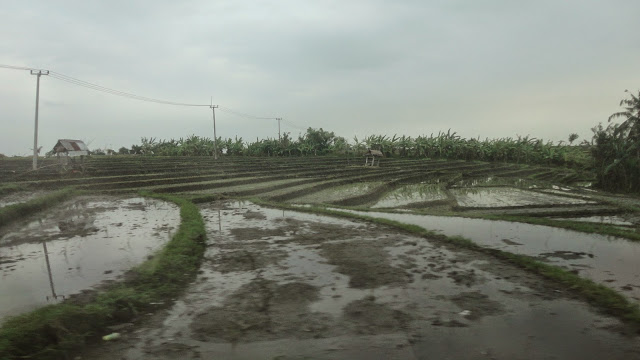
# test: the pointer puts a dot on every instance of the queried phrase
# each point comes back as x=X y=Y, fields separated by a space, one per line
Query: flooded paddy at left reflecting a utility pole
x=78 y=245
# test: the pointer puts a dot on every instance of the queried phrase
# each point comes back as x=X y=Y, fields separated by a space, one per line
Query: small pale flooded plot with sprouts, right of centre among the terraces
x=509 y=197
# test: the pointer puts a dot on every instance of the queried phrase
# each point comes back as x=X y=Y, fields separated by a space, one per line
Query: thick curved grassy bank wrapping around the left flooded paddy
x=49 y=332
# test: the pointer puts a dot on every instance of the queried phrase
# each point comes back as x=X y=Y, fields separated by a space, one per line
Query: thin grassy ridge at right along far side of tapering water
x=591 y=228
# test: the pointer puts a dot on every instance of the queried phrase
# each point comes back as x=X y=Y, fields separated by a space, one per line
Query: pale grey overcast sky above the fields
x=486 y=68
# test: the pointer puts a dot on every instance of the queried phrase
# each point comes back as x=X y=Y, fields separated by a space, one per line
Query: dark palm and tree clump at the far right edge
x=616 y=154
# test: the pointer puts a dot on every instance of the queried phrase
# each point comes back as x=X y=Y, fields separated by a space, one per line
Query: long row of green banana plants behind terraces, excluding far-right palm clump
x=447 y=145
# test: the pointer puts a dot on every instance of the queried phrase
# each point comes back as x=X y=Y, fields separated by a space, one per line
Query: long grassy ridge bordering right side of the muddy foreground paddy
x=603 y=298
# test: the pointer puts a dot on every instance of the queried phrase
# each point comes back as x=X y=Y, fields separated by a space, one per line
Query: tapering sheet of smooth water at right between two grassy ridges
x=604 y=259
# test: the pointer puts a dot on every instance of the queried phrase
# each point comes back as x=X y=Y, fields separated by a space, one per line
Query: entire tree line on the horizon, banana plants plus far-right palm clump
x=613 y=154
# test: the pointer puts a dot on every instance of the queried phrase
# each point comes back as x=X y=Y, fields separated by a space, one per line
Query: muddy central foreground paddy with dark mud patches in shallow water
x=286 y=285
